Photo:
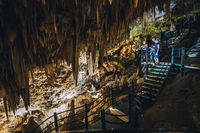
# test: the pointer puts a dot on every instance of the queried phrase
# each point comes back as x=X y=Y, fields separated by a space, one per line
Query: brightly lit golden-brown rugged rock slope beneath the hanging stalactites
x=52 y=92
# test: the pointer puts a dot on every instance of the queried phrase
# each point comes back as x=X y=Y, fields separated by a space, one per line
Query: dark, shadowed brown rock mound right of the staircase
x=178 y=105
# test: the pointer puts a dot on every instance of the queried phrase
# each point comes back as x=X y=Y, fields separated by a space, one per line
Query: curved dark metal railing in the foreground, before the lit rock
x=83 y=113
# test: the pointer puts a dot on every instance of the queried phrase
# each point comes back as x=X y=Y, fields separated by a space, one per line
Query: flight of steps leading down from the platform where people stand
x=154 y=80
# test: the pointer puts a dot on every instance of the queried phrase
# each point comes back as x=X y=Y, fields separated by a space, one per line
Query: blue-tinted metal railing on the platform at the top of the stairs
x=175 y=56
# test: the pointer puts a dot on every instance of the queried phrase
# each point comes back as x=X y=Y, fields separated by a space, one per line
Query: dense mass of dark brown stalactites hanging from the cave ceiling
x=38 y=34
